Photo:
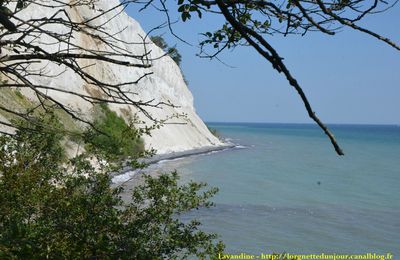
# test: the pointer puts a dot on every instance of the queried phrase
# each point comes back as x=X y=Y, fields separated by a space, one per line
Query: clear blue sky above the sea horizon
x=349 y=78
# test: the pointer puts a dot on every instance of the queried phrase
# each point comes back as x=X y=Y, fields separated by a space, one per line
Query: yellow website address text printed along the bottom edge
x=288 y=256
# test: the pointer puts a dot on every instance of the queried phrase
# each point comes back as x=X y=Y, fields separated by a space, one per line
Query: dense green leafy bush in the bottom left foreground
x=50 y=210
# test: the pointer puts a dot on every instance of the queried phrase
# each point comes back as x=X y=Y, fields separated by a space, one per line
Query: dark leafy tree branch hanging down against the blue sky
x=253 y=22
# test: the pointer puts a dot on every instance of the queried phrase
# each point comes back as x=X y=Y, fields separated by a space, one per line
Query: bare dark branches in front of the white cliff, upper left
x=30 y=65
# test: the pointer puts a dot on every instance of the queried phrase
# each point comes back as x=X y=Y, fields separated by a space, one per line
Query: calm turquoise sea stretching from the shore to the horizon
x=287 y=191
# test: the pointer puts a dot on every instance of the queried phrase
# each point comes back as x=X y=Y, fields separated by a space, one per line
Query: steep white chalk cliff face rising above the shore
x=165 y=84
